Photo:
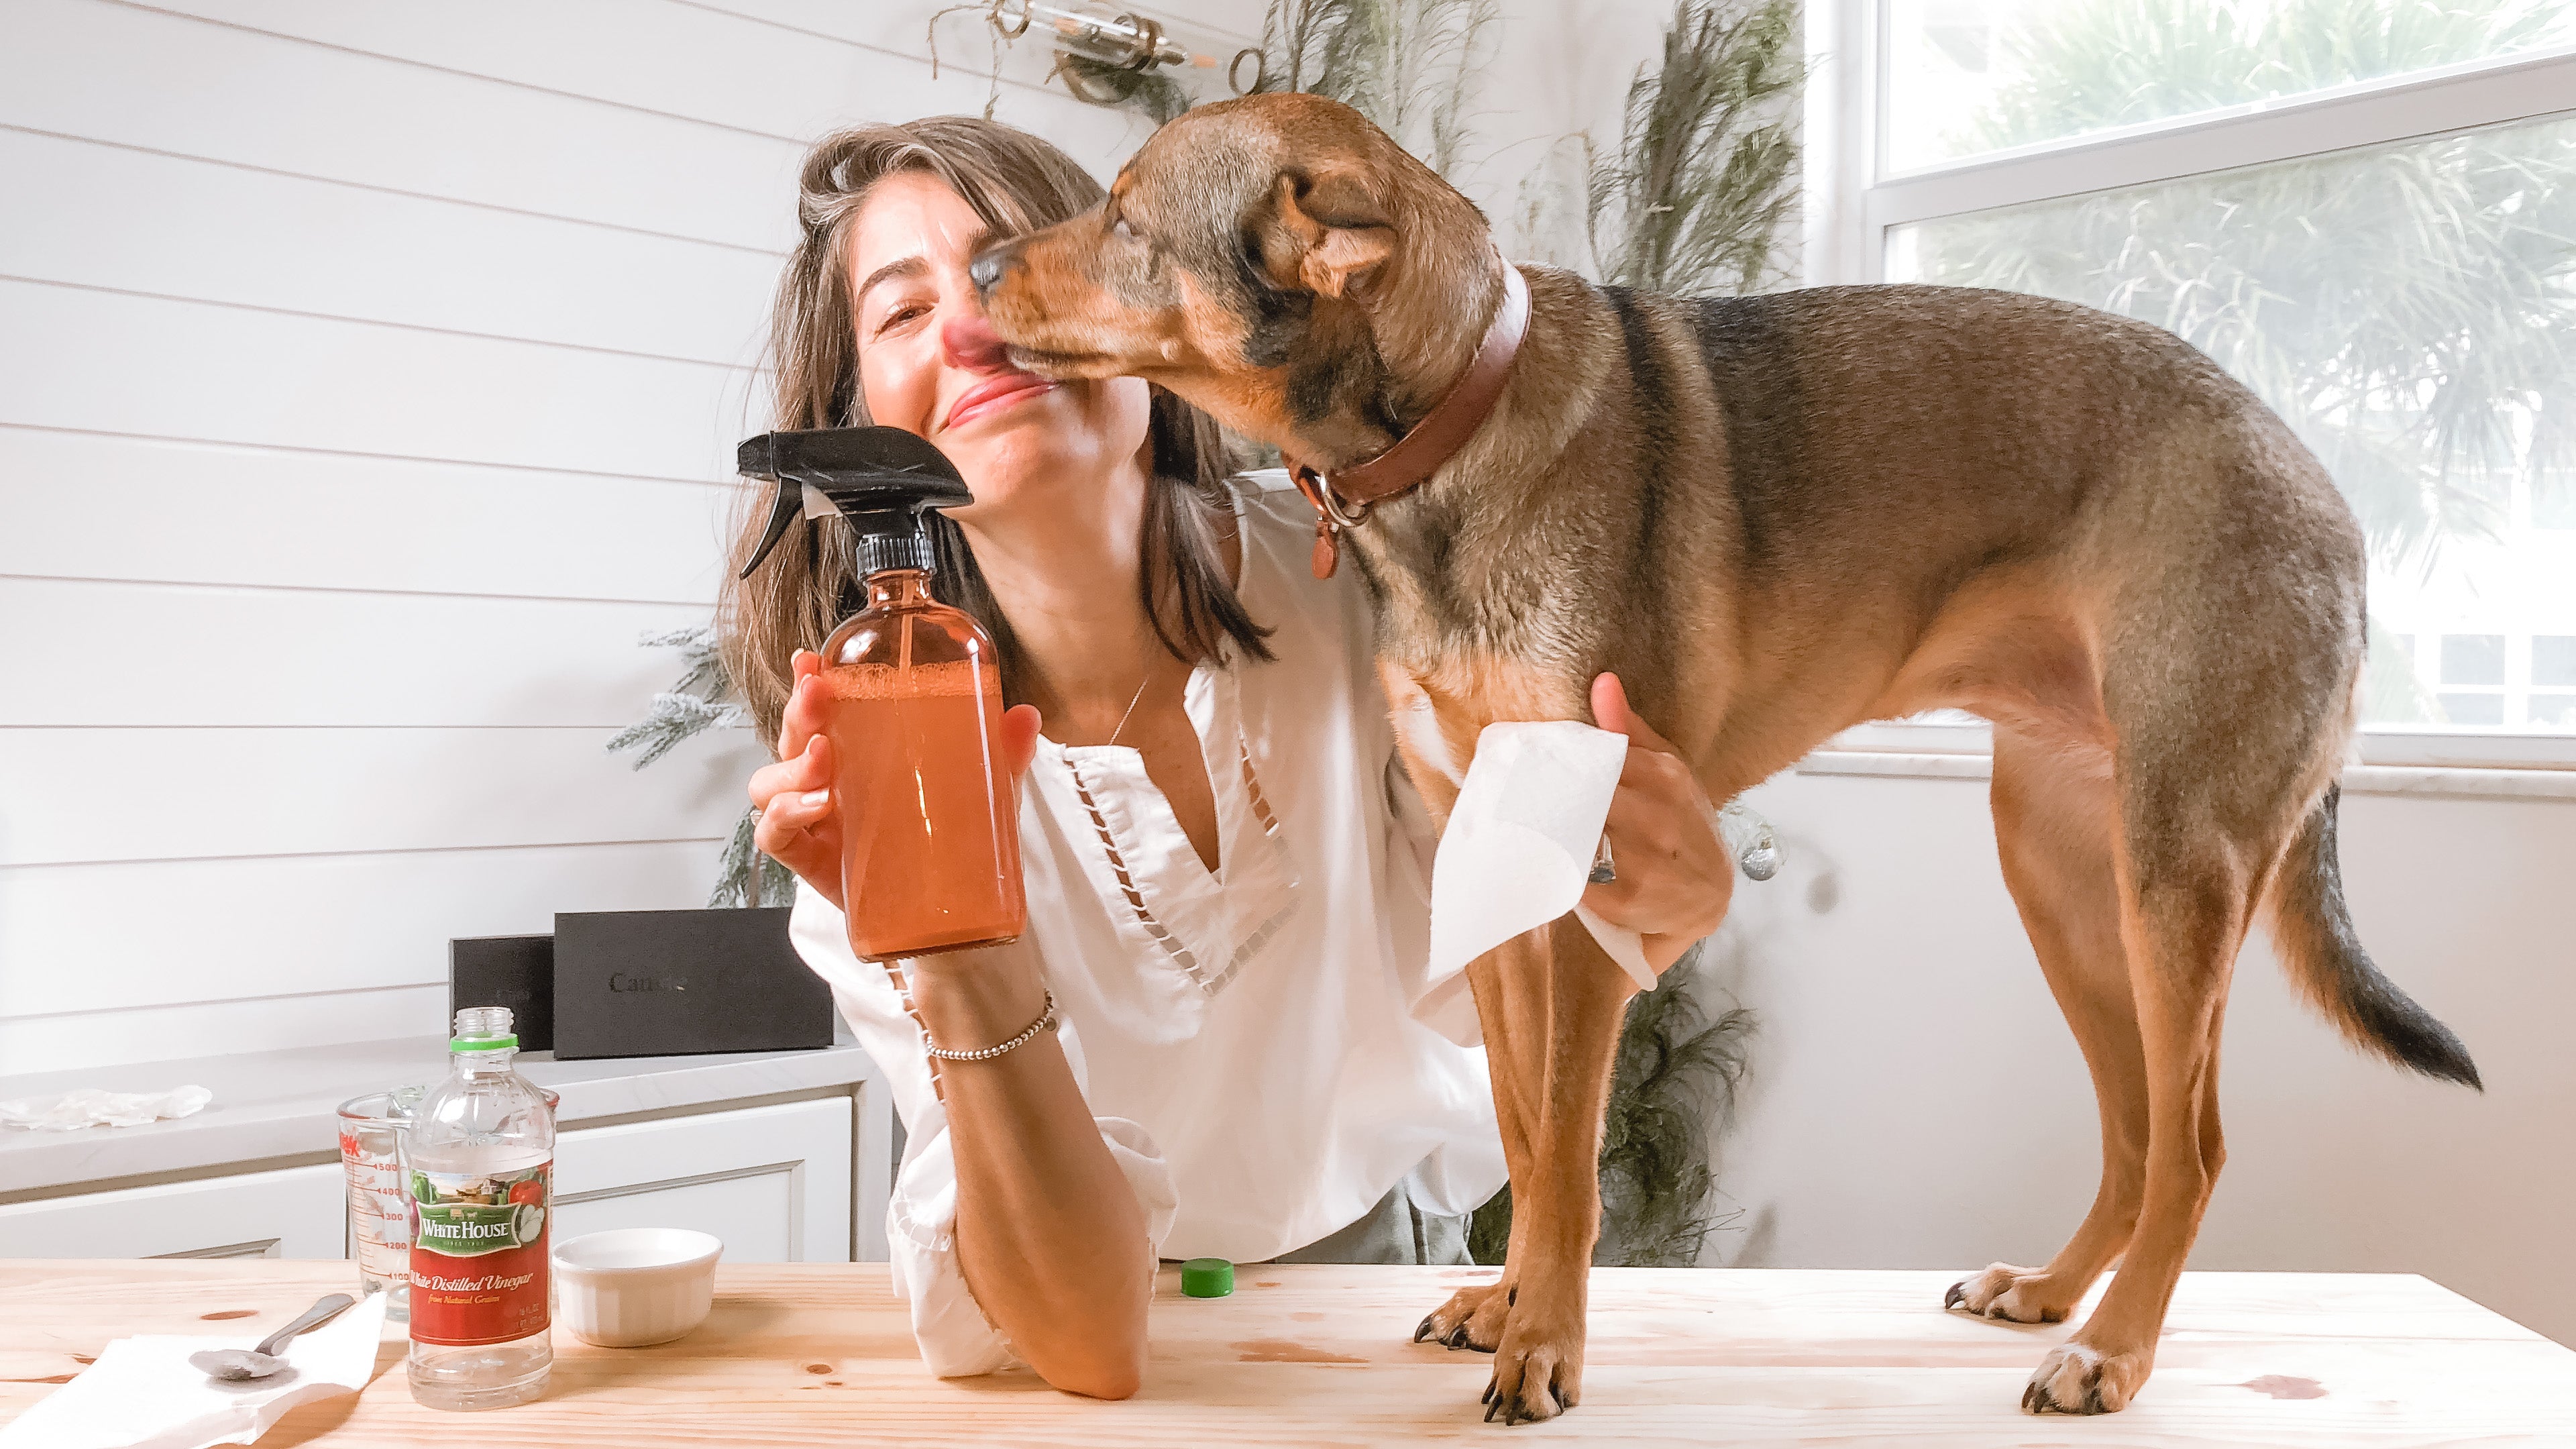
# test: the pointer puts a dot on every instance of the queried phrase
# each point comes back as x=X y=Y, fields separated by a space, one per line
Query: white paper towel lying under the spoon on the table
x=143 y=1394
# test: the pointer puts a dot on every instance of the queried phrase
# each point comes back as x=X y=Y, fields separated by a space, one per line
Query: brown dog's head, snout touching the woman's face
x=1279 y=262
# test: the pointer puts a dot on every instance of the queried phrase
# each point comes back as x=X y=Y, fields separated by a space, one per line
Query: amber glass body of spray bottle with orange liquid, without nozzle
x=931 y=834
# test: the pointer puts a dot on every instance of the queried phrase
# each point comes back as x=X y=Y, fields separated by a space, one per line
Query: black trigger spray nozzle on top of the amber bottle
x=880 y=478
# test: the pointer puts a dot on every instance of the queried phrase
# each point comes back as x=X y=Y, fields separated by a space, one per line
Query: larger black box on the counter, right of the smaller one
x=666 y=984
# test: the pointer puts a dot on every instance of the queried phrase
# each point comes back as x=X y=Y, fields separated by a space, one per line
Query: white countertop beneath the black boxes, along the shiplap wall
x=279 y=1105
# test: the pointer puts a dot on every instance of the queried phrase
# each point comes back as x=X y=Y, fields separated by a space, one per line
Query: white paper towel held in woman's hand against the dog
x=1519 y=844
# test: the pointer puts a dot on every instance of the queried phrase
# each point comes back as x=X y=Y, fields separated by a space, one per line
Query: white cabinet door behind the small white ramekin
x=772 y=1182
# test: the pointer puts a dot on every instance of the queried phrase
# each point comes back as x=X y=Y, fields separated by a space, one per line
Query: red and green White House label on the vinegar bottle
x=480 y=1257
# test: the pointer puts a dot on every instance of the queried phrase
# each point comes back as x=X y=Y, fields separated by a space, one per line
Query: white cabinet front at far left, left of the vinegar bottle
x=292 y=1213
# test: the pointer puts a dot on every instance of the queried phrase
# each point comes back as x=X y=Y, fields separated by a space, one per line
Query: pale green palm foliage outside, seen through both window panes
x=2410 y=311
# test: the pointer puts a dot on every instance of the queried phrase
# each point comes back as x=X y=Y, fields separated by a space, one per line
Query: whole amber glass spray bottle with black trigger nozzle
x=929 y=826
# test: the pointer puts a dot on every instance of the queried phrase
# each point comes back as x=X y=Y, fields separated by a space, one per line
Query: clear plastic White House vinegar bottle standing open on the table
x=480 y=1169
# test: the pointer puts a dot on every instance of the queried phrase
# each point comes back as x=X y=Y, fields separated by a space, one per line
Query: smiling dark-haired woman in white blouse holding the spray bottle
x=1227 y=870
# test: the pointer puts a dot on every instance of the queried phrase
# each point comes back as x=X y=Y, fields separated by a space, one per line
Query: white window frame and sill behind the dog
x=1853 y=208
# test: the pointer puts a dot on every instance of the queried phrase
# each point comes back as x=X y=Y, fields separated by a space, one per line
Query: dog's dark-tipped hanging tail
x=2335 y=973
